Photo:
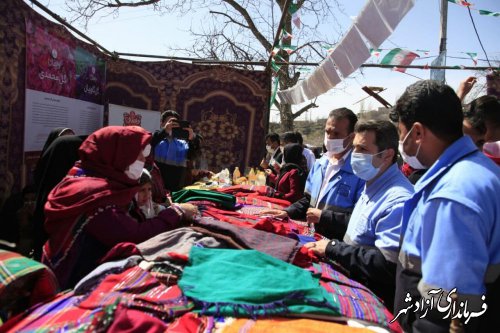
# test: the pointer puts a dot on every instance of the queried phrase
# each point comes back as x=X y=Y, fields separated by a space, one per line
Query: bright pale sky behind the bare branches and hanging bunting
x=142 y=30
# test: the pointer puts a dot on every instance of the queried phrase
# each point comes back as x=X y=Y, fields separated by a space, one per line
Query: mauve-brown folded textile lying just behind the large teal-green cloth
x=280 y=247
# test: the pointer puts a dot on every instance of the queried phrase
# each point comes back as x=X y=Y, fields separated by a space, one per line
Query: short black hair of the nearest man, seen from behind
x=434 y=105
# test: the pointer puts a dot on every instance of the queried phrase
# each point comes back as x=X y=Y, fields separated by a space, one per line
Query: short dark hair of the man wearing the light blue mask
x=386 y=134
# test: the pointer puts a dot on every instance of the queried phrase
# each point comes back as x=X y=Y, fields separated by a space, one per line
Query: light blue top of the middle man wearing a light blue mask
x=376 y=218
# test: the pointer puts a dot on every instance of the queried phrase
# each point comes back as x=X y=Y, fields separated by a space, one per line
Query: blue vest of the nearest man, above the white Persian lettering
x=451 y=225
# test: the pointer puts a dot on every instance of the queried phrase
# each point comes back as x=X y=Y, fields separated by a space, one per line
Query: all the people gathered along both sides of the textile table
x=408 y=208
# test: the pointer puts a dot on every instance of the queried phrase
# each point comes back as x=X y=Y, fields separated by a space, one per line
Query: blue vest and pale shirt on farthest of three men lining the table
x=343 y=189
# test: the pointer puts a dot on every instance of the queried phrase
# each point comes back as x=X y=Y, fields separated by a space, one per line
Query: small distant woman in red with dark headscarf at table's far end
x=289 y=183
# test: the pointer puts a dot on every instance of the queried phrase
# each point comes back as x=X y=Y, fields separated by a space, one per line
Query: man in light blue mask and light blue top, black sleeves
x=370 y=247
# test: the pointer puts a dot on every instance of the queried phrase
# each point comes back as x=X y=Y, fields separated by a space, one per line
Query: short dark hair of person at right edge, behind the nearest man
x=481 y=110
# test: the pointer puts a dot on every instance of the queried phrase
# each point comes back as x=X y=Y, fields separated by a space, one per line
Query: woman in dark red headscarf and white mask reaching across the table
x=87 y=212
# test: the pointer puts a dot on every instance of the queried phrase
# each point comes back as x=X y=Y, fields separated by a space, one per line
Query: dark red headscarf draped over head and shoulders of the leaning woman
x=105 y=155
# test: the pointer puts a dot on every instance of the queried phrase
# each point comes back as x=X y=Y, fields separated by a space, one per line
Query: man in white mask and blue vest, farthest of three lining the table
x=332 y=188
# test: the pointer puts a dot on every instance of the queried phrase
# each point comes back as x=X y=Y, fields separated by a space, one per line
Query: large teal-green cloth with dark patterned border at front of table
x=251 y=283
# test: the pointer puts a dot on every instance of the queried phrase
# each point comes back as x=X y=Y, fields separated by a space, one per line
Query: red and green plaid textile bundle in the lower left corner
x=23 y=276
